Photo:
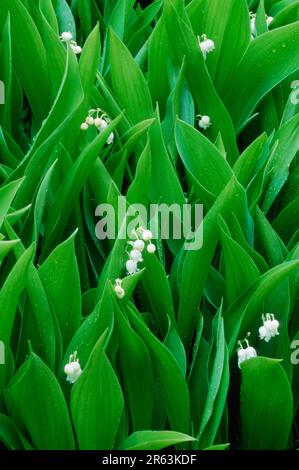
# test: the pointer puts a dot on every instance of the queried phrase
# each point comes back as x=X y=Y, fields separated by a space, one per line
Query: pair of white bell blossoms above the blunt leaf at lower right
x=266 y=332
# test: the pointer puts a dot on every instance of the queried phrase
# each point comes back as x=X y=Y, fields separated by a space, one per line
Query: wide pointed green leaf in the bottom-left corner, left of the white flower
x=46 y=411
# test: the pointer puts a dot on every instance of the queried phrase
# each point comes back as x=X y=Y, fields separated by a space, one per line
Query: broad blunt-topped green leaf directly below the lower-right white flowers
x=266 y=405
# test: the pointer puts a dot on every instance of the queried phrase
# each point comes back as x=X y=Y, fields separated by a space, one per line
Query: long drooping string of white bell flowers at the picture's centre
x=139 y=239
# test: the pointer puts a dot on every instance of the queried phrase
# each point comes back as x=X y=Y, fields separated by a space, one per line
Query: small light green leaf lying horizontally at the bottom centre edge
x=154 y=440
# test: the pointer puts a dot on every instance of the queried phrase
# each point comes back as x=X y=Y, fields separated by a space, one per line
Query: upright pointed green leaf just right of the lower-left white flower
x=97 y=402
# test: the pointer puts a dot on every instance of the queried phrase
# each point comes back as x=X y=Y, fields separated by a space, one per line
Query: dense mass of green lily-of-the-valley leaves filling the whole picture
x=159 y=366
